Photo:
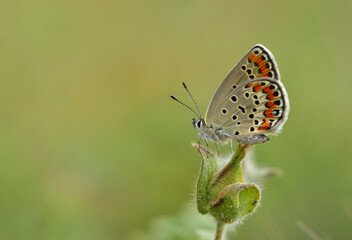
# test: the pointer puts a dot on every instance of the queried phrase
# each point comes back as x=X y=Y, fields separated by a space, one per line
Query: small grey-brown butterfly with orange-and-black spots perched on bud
x=248 y=105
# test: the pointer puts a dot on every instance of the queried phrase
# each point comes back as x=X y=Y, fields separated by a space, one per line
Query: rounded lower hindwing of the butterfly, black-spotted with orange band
x=256 y=107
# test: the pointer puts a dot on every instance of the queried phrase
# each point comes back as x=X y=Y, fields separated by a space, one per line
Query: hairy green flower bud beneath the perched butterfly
x=222 y=192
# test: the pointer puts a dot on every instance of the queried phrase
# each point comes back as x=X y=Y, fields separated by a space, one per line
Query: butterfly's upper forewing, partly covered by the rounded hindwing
x=259 y=62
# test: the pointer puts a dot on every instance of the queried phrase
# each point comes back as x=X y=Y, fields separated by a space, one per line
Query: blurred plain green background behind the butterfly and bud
x=92 y=147
